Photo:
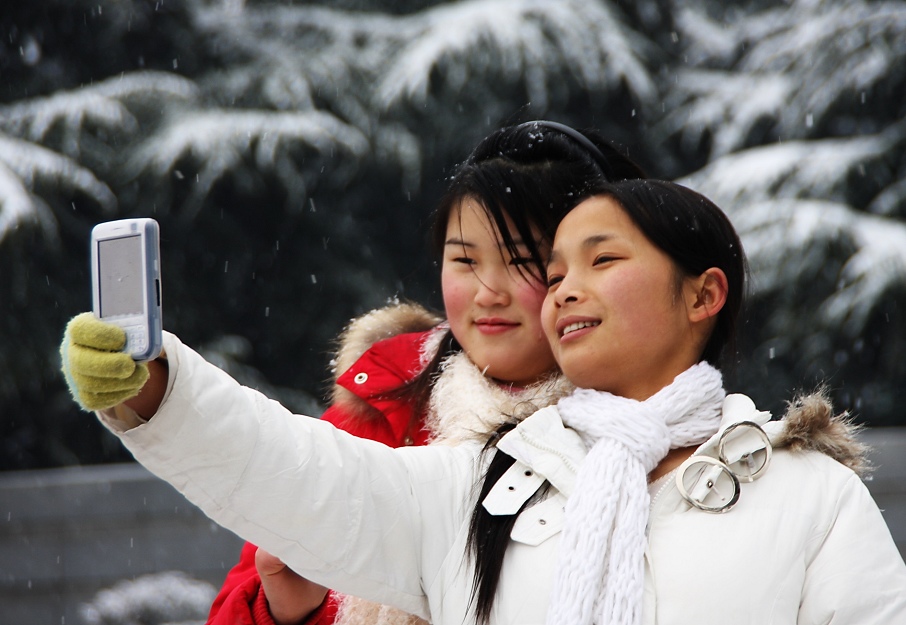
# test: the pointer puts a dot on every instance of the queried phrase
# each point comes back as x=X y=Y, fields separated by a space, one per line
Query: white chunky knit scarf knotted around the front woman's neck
x=600 y=574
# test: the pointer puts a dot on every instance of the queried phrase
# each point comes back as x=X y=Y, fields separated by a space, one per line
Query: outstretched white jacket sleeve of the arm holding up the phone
x=349 y=513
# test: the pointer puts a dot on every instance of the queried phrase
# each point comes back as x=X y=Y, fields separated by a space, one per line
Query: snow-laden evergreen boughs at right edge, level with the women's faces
x=788 y=203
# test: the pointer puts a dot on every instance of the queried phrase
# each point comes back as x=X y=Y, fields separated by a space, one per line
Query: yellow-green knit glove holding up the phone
x=99 y=373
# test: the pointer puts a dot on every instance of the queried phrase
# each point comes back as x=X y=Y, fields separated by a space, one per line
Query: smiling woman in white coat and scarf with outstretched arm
x=647 y=496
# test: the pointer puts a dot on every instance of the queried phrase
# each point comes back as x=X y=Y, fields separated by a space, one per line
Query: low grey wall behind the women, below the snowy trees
x=65 y=534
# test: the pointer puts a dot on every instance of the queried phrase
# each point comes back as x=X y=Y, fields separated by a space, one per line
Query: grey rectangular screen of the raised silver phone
x=120 y=264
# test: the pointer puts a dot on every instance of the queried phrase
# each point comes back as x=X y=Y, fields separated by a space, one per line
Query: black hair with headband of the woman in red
x=534 y=173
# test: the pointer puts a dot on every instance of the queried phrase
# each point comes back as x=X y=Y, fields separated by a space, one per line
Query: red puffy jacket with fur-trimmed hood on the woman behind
x=362 y=407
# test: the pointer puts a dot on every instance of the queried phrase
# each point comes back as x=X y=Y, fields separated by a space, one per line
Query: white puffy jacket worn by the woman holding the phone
x=805 y=544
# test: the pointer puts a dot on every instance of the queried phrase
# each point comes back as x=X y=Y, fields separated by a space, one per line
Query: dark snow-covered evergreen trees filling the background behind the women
x=292 y=153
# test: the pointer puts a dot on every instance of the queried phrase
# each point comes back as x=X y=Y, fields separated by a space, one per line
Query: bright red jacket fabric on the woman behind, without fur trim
x=385 y=366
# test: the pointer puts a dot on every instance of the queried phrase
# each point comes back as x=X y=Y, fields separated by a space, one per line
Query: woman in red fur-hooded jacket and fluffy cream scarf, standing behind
x=405 y=377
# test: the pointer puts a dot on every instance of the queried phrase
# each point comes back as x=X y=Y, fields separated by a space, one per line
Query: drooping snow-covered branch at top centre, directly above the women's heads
x=537 y=41
